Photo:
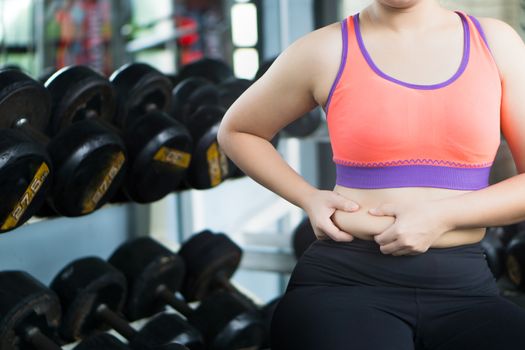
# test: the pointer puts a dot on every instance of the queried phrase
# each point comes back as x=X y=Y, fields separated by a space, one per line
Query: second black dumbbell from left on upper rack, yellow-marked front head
x=89 y=157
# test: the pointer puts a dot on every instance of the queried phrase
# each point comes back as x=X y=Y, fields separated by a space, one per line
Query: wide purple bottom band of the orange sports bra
x=467 y=179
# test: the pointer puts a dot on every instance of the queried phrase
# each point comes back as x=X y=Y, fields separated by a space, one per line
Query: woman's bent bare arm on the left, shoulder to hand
x=298 y=81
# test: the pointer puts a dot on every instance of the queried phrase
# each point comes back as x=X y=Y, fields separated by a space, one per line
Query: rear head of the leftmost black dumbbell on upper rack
x=21 y=97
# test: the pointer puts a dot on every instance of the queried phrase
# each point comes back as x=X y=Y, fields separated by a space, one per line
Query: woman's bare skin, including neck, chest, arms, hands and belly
x=404 y=37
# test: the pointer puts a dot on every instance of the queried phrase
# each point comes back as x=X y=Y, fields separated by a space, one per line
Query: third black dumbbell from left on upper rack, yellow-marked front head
x=159 y=147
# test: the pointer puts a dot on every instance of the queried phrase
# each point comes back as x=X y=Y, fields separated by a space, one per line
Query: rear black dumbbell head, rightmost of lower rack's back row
x=208 y=256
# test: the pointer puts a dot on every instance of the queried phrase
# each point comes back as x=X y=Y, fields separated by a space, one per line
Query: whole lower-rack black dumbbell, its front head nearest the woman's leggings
x=155 y=273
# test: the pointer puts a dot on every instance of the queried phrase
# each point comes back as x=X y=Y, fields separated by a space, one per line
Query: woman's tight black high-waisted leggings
x=350 y=296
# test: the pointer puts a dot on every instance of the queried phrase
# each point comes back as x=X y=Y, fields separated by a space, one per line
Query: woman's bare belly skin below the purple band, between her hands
x=365 y=226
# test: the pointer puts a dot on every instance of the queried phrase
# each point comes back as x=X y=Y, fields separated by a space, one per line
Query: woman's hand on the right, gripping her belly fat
x=416 y=227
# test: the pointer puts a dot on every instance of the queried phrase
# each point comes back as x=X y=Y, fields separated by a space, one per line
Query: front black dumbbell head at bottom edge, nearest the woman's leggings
x=227 y=323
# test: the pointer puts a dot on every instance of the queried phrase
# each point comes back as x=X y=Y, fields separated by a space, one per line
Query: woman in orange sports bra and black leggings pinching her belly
x=416 y=96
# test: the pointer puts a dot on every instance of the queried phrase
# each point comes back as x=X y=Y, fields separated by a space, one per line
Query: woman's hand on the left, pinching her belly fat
x=320 y=206
